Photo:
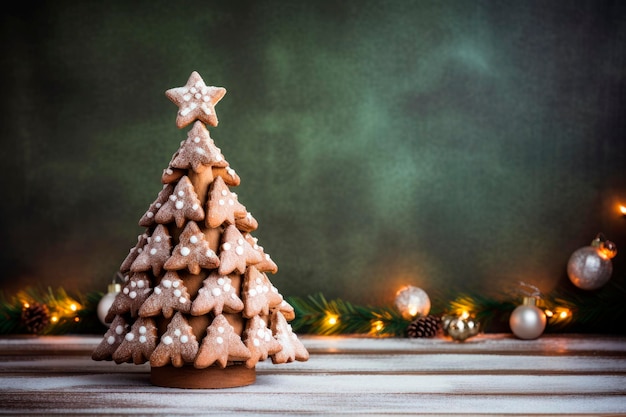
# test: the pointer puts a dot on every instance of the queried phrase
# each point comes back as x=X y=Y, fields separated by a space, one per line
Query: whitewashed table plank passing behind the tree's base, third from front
x=361 y=363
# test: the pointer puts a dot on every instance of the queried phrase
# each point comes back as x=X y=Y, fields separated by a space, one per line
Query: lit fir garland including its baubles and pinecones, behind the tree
x=592 y=303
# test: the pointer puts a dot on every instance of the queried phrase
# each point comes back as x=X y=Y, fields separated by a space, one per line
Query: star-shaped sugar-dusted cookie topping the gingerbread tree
x=196 y=100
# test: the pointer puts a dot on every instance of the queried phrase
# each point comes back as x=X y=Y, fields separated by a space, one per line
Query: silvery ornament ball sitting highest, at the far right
x=588 y=269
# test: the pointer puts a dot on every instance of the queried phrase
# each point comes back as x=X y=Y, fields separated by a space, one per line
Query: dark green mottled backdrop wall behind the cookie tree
x=452 y=145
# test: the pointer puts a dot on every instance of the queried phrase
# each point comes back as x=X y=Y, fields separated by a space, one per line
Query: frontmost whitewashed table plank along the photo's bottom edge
x=177 y=402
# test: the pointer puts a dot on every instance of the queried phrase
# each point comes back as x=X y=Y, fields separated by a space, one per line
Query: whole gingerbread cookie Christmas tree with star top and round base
x=197 y=302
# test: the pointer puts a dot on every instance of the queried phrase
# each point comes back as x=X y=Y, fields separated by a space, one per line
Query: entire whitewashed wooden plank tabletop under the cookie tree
x=491 y=374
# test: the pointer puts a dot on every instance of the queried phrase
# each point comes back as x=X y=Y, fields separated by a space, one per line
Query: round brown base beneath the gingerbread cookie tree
x=211 y=377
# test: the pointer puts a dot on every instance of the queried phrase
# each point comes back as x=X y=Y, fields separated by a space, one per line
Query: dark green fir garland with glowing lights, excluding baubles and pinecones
x=600 y=311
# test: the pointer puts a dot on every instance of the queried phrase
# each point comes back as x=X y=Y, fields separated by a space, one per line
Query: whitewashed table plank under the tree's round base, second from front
x=339 y=384
